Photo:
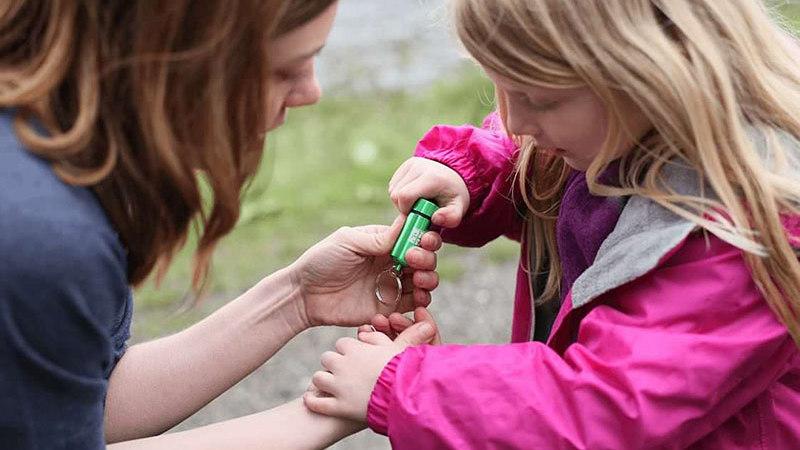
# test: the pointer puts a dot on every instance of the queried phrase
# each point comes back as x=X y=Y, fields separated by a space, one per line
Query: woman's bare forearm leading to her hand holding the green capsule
x=158 y=384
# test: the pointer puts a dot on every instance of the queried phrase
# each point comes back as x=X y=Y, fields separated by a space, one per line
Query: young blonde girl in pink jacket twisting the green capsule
x=657 y=150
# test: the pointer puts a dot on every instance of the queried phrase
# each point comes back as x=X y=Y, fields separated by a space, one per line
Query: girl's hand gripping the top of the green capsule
x=420 y=177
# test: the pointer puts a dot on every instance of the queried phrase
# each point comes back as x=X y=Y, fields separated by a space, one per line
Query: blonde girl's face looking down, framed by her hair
x=571 y=123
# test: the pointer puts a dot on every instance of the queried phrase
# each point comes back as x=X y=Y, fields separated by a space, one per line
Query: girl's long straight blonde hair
x=717 y=79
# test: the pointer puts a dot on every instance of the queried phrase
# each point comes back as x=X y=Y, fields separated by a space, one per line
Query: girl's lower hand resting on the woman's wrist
x=344 y=388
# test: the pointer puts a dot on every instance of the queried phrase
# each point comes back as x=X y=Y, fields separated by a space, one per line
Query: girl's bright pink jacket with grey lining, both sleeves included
x=664 y=342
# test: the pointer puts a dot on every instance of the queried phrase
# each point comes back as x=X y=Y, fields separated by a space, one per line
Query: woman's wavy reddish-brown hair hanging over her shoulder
x=135 y=99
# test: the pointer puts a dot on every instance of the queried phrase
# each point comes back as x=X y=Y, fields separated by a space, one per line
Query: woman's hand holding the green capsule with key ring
x=336 y=277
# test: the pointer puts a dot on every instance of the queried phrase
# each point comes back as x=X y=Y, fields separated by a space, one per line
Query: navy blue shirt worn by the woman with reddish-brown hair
x=65 y=305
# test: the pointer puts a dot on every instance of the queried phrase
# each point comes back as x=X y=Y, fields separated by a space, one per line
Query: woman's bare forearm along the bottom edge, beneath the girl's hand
x=289 y=426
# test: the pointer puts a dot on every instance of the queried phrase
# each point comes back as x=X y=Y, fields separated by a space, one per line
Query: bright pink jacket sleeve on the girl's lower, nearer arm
x=659 y=363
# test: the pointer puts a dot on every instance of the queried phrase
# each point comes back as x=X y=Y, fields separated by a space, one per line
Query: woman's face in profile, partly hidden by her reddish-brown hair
x=293 y=81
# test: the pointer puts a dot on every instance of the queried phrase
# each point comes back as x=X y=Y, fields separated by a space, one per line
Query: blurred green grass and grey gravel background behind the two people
x=390 y=71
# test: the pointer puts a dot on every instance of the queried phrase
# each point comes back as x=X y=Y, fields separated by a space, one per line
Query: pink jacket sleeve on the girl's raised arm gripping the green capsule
x=485 y=159
